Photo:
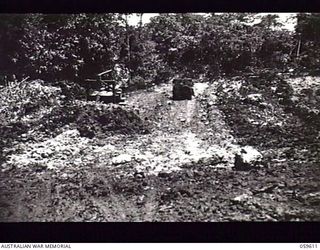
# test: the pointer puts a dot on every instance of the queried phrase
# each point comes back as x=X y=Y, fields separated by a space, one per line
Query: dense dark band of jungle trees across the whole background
x=74 y=47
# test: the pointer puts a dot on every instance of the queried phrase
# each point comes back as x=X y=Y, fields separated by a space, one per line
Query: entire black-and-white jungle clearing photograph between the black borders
x=160 y=117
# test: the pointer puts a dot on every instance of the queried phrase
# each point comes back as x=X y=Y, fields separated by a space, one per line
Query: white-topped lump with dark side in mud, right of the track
x=247 y=158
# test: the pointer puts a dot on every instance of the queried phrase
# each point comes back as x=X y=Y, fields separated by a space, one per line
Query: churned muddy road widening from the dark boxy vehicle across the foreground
x=180 y=171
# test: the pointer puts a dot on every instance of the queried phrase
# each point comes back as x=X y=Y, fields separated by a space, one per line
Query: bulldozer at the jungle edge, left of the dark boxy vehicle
x=105 y=89
